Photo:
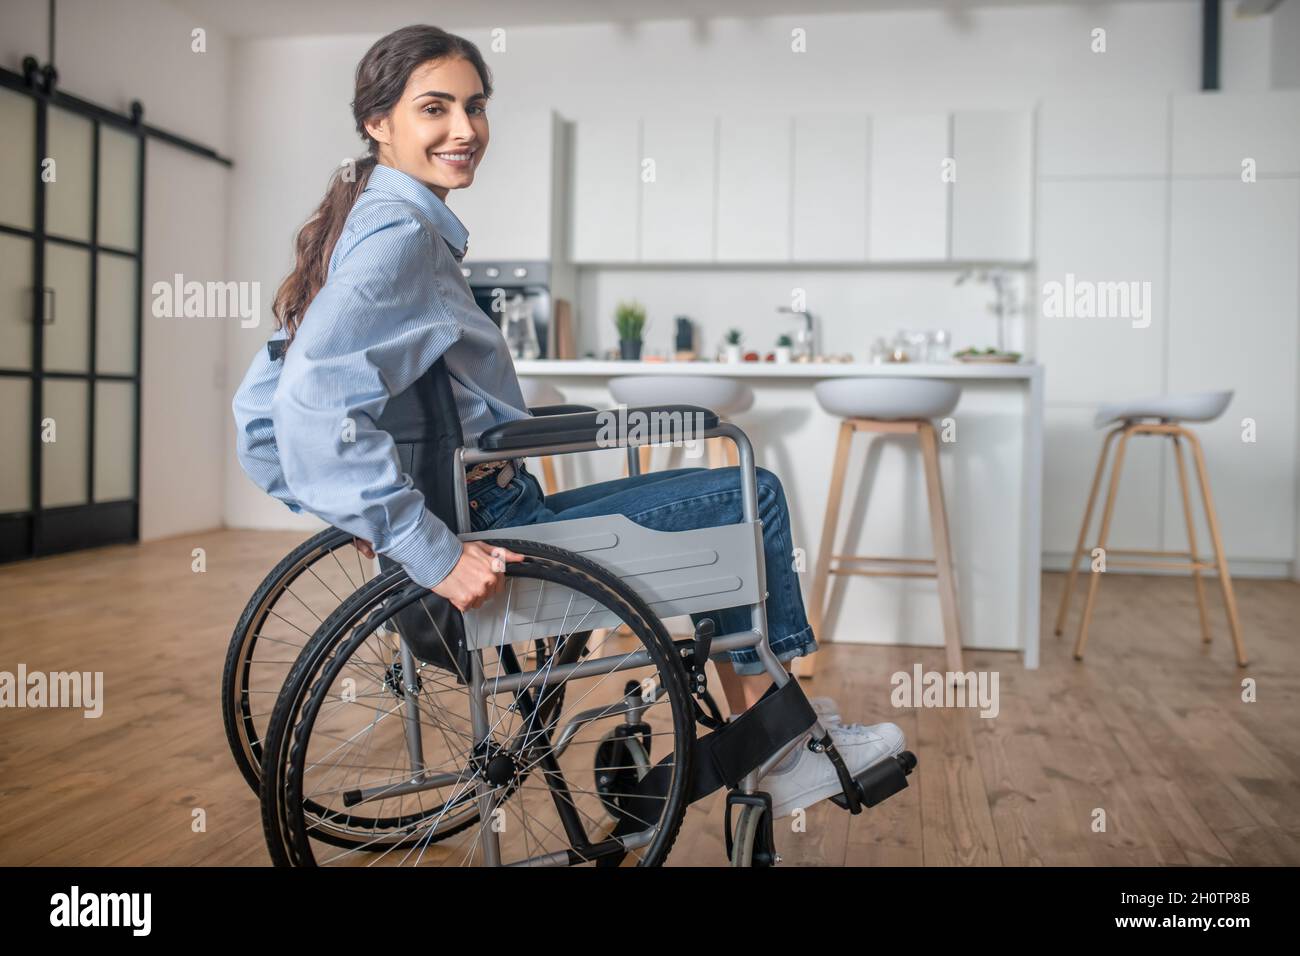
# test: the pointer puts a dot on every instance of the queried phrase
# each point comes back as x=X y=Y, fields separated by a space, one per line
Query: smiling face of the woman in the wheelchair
x=439 y=131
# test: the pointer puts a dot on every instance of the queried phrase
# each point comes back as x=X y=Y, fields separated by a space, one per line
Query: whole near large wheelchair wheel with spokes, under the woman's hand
x=414 y=773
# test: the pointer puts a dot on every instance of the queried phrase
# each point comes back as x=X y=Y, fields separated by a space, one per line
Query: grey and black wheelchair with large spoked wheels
x=556 y=724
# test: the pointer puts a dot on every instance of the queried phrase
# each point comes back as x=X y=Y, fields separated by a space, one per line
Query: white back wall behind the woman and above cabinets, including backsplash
x=293 y=126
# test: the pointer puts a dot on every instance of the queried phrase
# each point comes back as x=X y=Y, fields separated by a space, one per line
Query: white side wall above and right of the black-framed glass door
x=111 y=53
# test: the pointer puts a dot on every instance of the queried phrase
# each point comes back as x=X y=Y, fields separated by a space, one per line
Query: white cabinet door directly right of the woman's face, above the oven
x=512 y=210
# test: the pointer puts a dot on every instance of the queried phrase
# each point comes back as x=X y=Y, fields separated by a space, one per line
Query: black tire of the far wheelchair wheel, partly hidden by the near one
x=245 y=725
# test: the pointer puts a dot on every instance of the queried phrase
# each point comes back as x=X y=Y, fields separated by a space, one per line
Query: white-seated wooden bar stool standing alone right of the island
x=1168 y=412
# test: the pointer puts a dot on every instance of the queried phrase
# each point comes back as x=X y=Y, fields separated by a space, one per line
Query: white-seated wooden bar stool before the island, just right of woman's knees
x=892 y=406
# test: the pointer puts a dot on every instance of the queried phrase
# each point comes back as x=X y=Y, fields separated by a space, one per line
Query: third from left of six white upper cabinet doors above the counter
x=755 y=188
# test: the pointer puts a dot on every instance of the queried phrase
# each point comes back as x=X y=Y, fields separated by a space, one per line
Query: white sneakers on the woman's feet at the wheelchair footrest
x=808 y=778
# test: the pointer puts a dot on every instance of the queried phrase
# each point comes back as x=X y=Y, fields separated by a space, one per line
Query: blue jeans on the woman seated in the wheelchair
x=677 y=500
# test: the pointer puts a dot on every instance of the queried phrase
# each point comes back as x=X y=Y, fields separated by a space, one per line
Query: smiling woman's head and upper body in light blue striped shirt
x=375 y=299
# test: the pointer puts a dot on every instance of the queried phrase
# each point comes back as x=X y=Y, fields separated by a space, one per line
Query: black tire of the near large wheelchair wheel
x=288 y=819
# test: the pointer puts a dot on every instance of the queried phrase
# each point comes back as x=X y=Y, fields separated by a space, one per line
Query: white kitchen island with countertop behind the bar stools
x=993 y=482
